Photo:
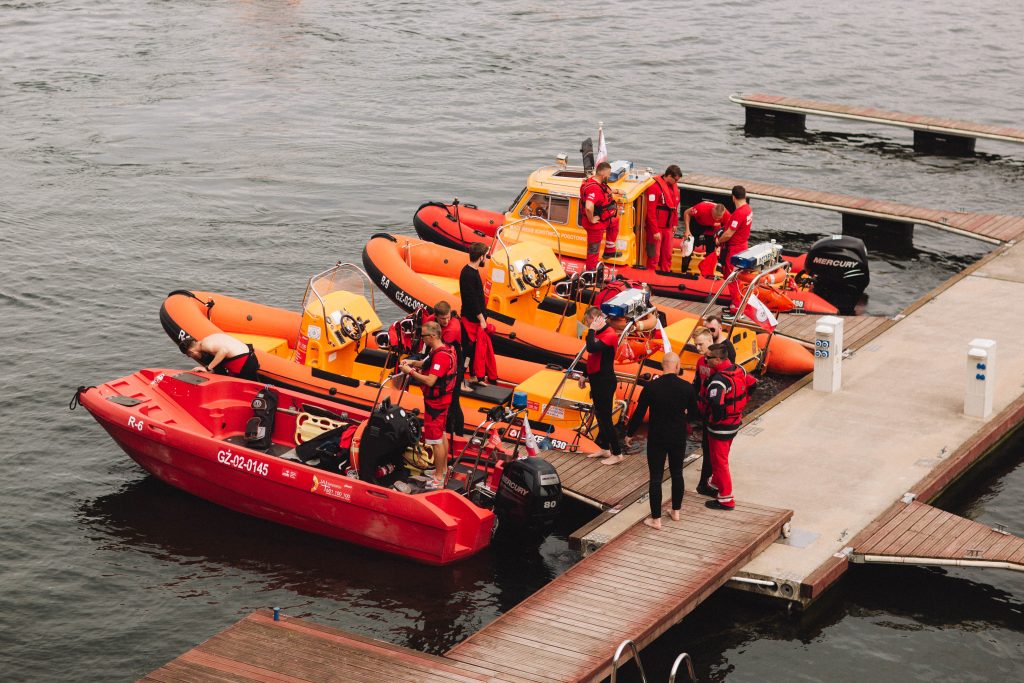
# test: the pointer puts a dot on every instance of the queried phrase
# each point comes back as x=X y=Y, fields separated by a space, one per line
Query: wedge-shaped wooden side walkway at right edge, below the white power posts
x=920 y=534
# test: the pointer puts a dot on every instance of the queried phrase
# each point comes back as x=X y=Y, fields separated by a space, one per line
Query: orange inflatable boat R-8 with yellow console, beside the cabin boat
x=537 y=310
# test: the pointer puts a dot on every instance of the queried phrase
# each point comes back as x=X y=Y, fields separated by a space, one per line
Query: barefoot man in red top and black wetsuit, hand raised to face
x=603 y=341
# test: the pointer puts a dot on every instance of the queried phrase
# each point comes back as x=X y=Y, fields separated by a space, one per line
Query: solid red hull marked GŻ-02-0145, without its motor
x=183 y=448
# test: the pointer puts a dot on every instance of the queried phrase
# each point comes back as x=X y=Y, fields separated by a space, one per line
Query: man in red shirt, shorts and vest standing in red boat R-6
x=438 y=383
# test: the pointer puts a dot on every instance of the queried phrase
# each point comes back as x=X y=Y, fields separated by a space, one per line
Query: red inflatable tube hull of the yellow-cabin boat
x=437 y=223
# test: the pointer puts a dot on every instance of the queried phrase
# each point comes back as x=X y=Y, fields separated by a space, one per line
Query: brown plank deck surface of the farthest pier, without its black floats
x=871 y=115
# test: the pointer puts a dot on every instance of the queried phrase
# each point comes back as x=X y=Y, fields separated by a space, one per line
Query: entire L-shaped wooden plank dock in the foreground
x=636 y=587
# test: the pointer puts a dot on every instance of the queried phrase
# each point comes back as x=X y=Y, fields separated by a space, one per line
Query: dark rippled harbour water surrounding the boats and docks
x=241 y=147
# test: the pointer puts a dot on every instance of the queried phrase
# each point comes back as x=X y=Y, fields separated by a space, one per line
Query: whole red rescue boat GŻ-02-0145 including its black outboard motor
x=190 y=431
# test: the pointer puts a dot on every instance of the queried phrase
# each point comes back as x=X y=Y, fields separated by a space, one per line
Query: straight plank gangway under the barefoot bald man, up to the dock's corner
x=635 y=587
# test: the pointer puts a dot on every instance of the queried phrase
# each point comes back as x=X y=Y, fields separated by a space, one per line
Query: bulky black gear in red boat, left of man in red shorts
x=391 y=431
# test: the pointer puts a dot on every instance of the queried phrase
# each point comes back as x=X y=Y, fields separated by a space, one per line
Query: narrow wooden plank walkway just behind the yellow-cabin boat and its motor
x=991 y=228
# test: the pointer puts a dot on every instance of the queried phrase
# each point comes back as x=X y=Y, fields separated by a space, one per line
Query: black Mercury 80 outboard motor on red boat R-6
x=530 y=496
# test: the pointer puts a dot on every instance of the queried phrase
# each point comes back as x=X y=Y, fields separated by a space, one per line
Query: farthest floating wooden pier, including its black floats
x=778 y=114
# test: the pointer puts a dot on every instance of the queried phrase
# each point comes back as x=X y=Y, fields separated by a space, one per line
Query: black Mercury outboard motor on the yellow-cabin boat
x=839 y=266
